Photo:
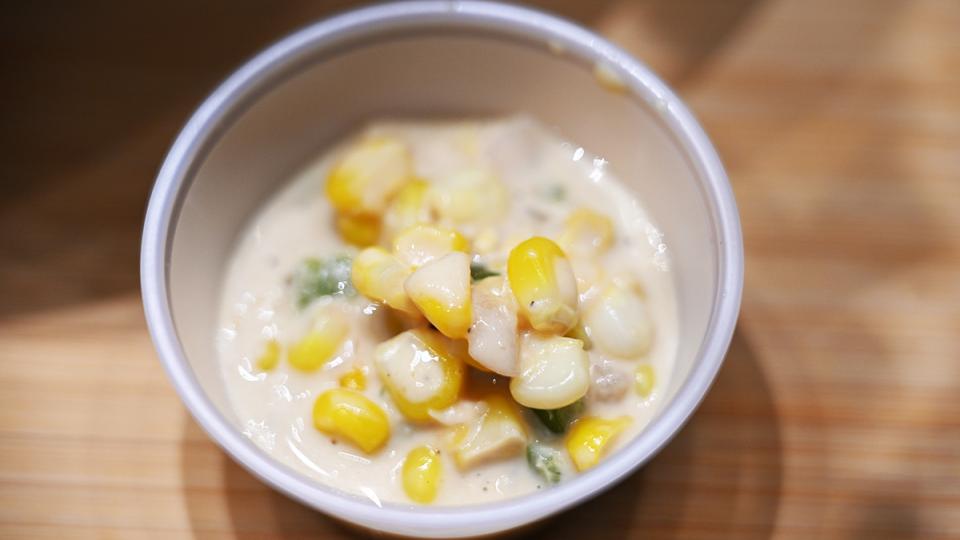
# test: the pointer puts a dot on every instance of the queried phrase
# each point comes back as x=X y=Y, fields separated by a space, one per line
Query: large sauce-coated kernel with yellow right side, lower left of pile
x=422 y=371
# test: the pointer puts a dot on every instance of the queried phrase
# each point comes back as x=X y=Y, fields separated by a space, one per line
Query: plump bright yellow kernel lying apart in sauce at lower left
x=351 y=415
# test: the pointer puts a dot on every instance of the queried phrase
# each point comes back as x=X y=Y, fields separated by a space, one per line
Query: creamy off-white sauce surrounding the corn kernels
x=545 y=178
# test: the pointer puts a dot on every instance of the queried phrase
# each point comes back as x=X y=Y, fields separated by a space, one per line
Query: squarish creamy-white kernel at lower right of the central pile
x=554 y=372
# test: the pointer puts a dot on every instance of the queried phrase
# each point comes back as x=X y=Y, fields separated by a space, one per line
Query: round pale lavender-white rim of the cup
x=213 y=115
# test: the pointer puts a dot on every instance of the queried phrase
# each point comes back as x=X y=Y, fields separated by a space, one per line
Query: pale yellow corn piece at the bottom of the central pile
x=499 y=433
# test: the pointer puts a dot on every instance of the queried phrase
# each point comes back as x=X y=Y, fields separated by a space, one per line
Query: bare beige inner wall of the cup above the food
x=296 y=109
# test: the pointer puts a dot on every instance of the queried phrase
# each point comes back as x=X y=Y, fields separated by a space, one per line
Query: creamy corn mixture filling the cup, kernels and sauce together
x=448 y=313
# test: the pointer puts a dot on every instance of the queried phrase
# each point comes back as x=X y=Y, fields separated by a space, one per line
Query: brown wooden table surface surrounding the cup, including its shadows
x=836 y=415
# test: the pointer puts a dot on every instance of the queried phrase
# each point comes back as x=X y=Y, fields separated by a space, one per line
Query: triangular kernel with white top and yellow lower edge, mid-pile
x=441 y=291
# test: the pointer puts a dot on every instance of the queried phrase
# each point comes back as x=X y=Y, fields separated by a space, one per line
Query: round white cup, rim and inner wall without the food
x=416 y=59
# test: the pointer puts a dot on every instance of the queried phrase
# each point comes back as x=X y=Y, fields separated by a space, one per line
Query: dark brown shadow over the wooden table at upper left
x=95 y=96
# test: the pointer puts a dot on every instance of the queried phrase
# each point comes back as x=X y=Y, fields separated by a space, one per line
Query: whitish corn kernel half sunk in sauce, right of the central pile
x=619 y=322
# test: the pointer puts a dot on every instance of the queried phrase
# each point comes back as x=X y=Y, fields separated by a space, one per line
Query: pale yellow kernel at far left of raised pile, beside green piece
x=379 y=275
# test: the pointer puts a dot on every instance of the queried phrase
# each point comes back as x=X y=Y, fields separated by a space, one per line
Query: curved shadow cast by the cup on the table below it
x=721 y=477
